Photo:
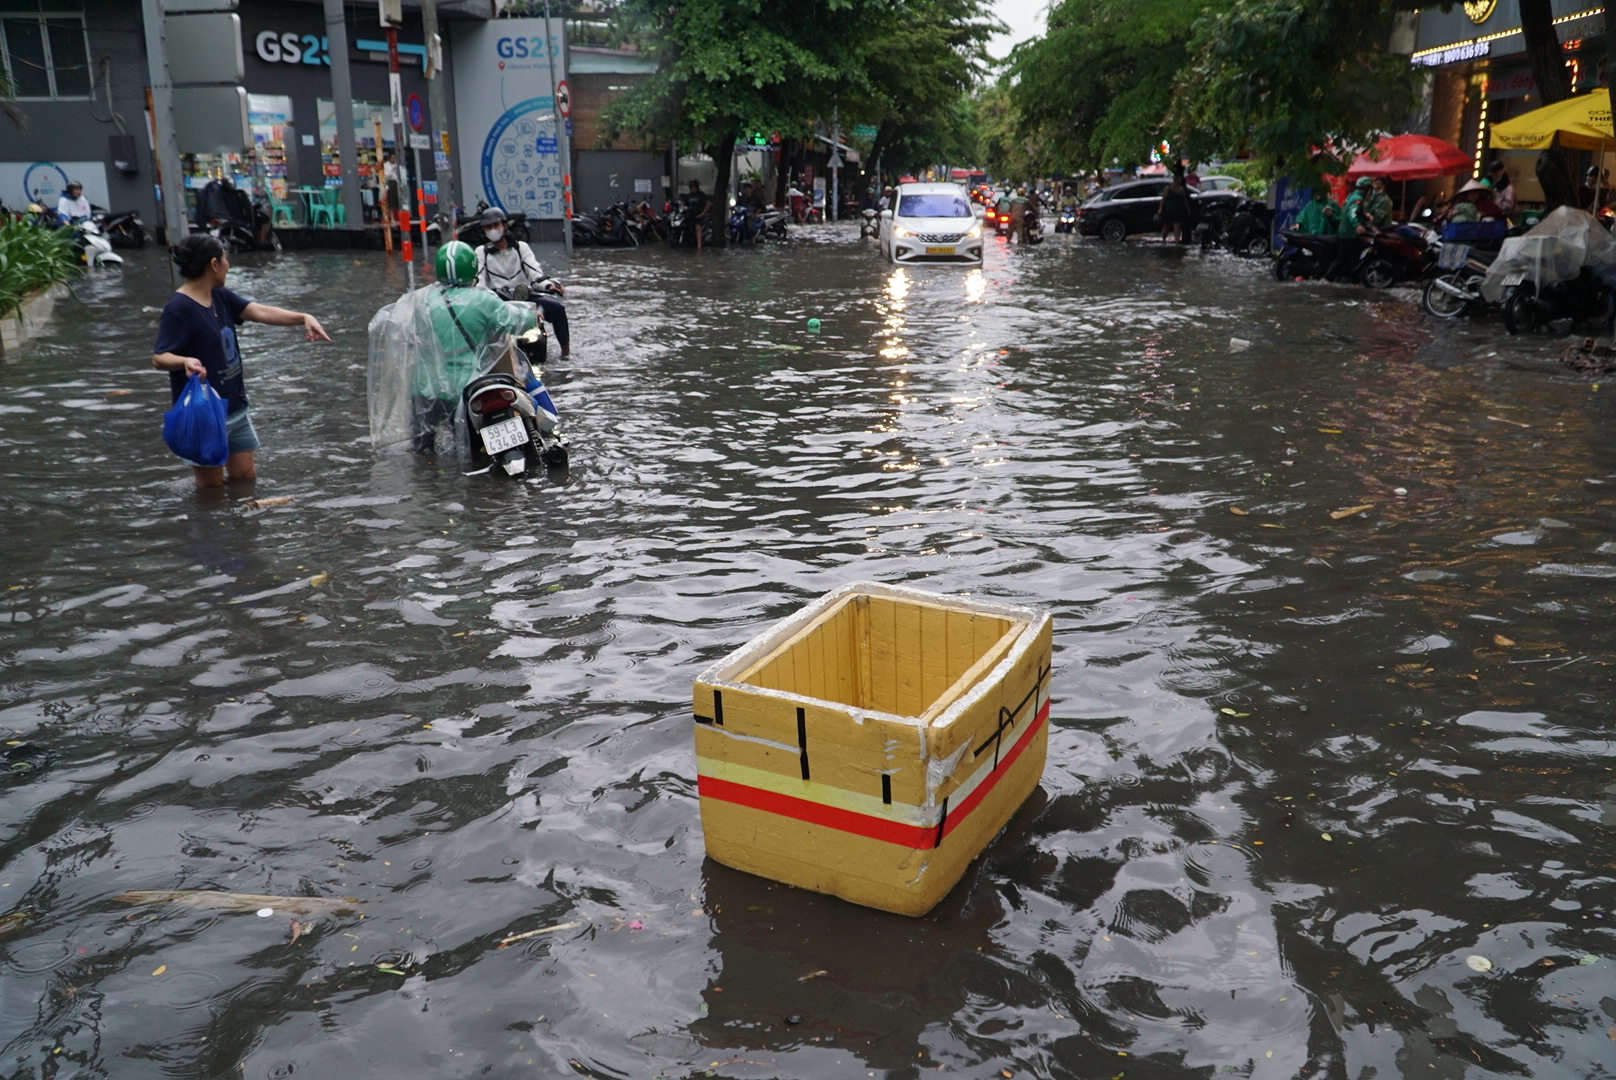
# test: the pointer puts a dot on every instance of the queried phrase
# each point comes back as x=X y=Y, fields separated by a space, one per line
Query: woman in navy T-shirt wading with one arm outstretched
x=196 y=335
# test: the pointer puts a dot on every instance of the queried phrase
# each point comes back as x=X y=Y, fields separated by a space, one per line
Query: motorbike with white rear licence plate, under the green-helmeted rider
x=510 y=415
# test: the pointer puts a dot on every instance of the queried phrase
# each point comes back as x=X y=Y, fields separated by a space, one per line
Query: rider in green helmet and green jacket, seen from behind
x=466 y=324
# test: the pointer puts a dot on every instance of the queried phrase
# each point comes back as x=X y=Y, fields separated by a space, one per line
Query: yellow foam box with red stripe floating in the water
x=875 y=743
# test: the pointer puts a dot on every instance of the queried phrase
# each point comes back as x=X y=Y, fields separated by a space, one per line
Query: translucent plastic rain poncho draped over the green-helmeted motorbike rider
x=424 y=350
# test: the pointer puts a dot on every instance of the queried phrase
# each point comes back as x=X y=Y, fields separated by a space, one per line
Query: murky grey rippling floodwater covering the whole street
x=1303 y=767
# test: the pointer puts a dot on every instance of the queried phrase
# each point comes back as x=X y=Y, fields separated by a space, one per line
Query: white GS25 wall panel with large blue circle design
x=508 y=116
